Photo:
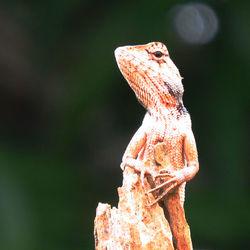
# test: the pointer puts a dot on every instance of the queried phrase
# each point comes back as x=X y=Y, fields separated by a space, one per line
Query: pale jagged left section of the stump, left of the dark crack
x=133 y=225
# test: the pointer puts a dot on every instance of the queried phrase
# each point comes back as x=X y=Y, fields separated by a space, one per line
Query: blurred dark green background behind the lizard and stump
x=67 y=114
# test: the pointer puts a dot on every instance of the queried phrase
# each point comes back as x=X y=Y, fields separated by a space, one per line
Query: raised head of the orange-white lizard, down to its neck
x=151 y=74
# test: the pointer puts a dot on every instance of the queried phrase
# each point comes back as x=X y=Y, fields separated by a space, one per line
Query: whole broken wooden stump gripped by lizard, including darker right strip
x=134 y=224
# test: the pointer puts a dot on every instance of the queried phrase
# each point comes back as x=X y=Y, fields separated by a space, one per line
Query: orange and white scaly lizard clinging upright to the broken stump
x=157 y=84
